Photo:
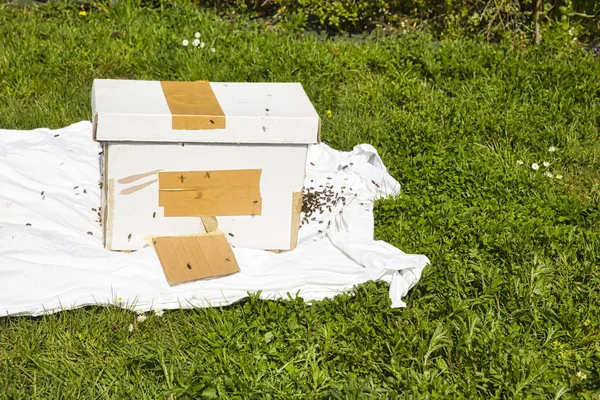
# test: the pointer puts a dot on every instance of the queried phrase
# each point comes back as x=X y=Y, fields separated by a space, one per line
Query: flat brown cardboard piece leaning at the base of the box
x=194 y=257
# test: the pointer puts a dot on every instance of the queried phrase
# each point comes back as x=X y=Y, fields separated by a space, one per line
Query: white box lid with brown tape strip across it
x=203 y=112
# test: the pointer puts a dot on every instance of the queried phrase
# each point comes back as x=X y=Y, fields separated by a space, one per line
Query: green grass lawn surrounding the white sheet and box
x=508 y=308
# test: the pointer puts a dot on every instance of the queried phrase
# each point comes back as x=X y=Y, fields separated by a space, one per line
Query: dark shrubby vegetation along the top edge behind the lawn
x=488 y=19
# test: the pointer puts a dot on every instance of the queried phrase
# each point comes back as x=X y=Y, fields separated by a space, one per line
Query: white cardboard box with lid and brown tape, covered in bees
x=181 y=155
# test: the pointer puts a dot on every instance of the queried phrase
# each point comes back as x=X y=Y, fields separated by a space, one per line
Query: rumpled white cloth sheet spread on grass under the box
x=49 y=262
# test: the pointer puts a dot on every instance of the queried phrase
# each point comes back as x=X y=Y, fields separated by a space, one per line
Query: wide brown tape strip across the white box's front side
x=210 y=193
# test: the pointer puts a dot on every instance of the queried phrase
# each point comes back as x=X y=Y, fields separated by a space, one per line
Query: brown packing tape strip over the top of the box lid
x=193 y=105
